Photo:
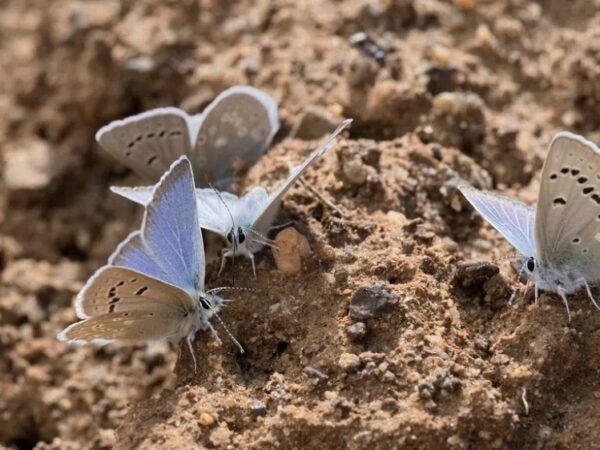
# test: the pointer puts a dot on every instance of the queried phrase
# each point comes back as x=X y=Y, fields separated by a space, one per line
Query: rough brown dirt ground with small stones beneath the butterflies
x=397 y=334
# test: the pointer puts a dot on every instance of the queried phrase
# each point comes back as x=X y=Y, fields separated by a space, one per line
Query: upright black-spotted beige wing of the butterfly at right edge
x=567 y=228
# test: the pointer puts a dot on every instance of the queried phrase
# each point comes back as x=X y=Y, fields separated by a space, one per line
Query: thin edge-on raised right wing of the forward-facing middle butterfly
x=265 y=216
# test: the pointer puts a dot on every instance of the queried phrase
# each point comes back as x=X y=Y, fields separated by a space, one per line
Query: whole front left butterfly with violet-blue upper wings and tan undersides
x=153 y=285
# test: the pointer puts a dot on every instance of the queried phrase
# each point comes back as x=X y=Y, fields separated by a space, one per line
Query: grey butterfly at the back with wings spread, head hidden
x=238 y=124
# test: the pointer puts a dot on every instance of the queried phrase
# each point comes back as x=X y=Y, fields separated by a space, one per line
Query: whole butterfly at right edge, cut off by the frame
x=560 y=238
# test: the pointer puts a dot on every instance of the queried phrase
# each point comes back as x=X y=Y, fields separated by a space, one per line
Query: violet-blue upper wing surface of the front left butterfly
x=169 y=246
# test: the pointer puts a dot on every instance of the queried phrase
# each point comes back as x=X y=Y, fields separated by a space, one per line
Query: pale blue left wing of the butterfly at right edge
x=513 y=219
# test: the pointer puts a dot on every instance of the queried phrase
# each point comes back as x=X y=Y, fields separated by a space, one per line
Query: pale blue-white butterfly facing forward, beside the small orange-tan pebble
x=243 y=221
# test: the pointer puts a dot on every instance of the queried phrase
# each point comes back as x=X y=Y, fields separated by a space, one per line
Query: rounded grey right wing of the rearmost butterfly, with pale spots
x=239 y=123
